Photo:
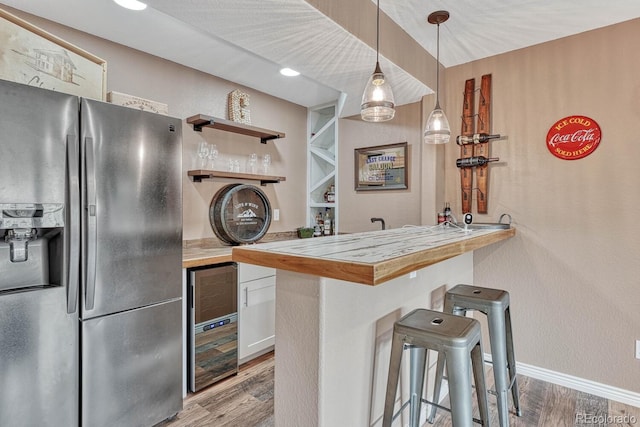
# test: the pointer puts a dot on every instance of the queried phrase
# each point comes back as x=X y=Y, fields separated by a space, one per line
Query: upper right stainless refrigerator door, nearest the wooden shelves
x=132 y=208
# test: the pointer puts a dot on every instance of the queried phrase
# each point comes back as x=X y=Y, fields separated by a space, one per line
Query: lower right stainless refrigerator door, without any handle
x=132 y=367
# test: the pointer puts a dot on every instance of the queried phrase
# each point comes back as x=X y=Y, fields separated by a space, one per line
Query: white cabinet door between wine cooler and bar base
x=256 y=316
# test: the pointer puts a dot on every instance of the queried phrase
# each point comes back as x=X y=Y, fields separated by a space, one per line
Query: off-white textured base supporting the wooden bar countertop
x=333 y=342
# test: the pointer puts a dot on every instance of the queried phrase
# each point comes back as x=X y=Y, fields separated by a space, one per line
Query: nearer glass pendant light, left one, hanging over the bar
x=378 y=104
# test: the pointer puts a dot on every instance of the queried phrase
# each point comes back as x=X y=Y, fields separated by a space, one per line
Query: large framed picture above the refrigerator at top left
x=32 y=56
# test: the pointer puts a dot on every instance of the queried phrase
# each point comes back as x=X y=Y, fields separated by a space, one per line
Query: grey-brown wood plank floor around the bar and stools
x=246 y=400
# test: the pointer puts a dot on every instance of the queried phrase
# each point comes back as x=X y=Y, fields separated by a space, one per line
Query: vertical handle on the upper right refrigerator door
x=90 y=179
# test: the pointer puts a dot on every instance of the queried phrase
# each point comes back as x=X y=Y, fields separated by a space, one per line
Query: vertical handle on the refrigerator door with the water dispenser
x=73 y=261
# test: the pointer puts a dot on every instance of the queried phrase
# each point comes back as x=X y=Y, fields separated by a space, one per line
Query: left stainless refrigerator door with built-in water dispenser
x=39 y=336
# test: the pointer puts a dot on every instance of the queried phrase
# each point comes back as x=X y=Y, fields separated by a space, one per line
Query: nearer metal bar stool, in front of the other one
x=458 y=340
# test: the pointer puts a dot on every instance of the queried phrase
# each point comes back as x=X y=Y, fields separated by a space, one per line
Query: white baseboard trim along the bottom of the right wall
x=597 y=389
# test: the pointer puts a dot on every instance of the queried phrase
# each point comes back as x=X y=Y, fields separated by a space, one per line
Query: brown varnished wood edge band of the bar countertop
x=366 y=274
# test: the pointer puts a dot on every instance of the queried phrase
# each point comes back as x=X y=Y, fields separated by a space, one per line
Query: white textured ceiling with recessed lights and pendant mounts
x=248 y=41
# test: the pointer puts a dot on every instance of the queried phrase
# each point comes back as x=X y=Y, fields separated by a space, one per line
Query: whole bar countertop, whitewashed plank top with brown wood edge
x=369 y=258
